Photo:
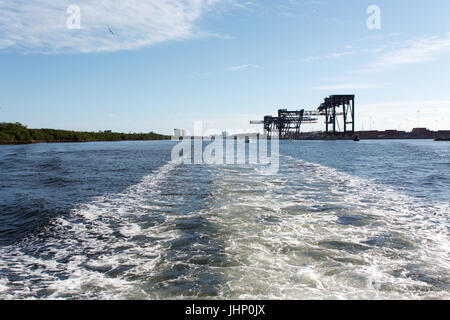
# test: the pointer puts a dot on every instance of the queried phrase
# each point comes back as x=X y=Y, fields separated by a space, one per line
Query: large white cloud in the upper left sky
x=40 y=25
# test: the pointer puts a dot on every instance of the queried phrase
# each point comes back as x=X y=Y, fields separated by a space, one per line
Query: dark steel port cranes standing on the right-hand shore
x=288 y=124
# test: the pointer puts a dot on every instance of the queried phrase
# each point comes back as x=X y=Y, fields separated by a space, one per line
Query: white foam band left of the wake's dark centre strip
x=94 y=251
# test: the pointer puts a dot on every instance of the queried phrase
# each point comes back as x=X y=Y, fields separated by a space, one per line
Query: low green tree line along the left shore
x=18 y=133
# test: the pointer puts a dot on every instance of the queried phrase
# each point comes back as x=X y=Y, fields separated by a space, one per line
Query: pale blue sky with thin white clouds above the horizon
x=156 y=65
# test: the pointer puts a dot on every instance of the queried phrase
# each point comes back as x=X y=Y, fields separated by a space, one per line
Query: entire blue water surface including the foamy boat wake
x=340 y=220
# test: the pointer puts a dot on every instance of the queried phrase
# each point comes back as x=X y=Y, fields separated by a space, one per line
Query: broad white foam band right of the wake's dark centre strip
x=312 y=232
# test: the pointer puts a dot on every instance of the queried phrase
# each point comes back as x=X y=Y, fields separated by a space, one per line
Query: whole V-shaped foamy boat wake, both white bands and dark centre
x=231 y=232
